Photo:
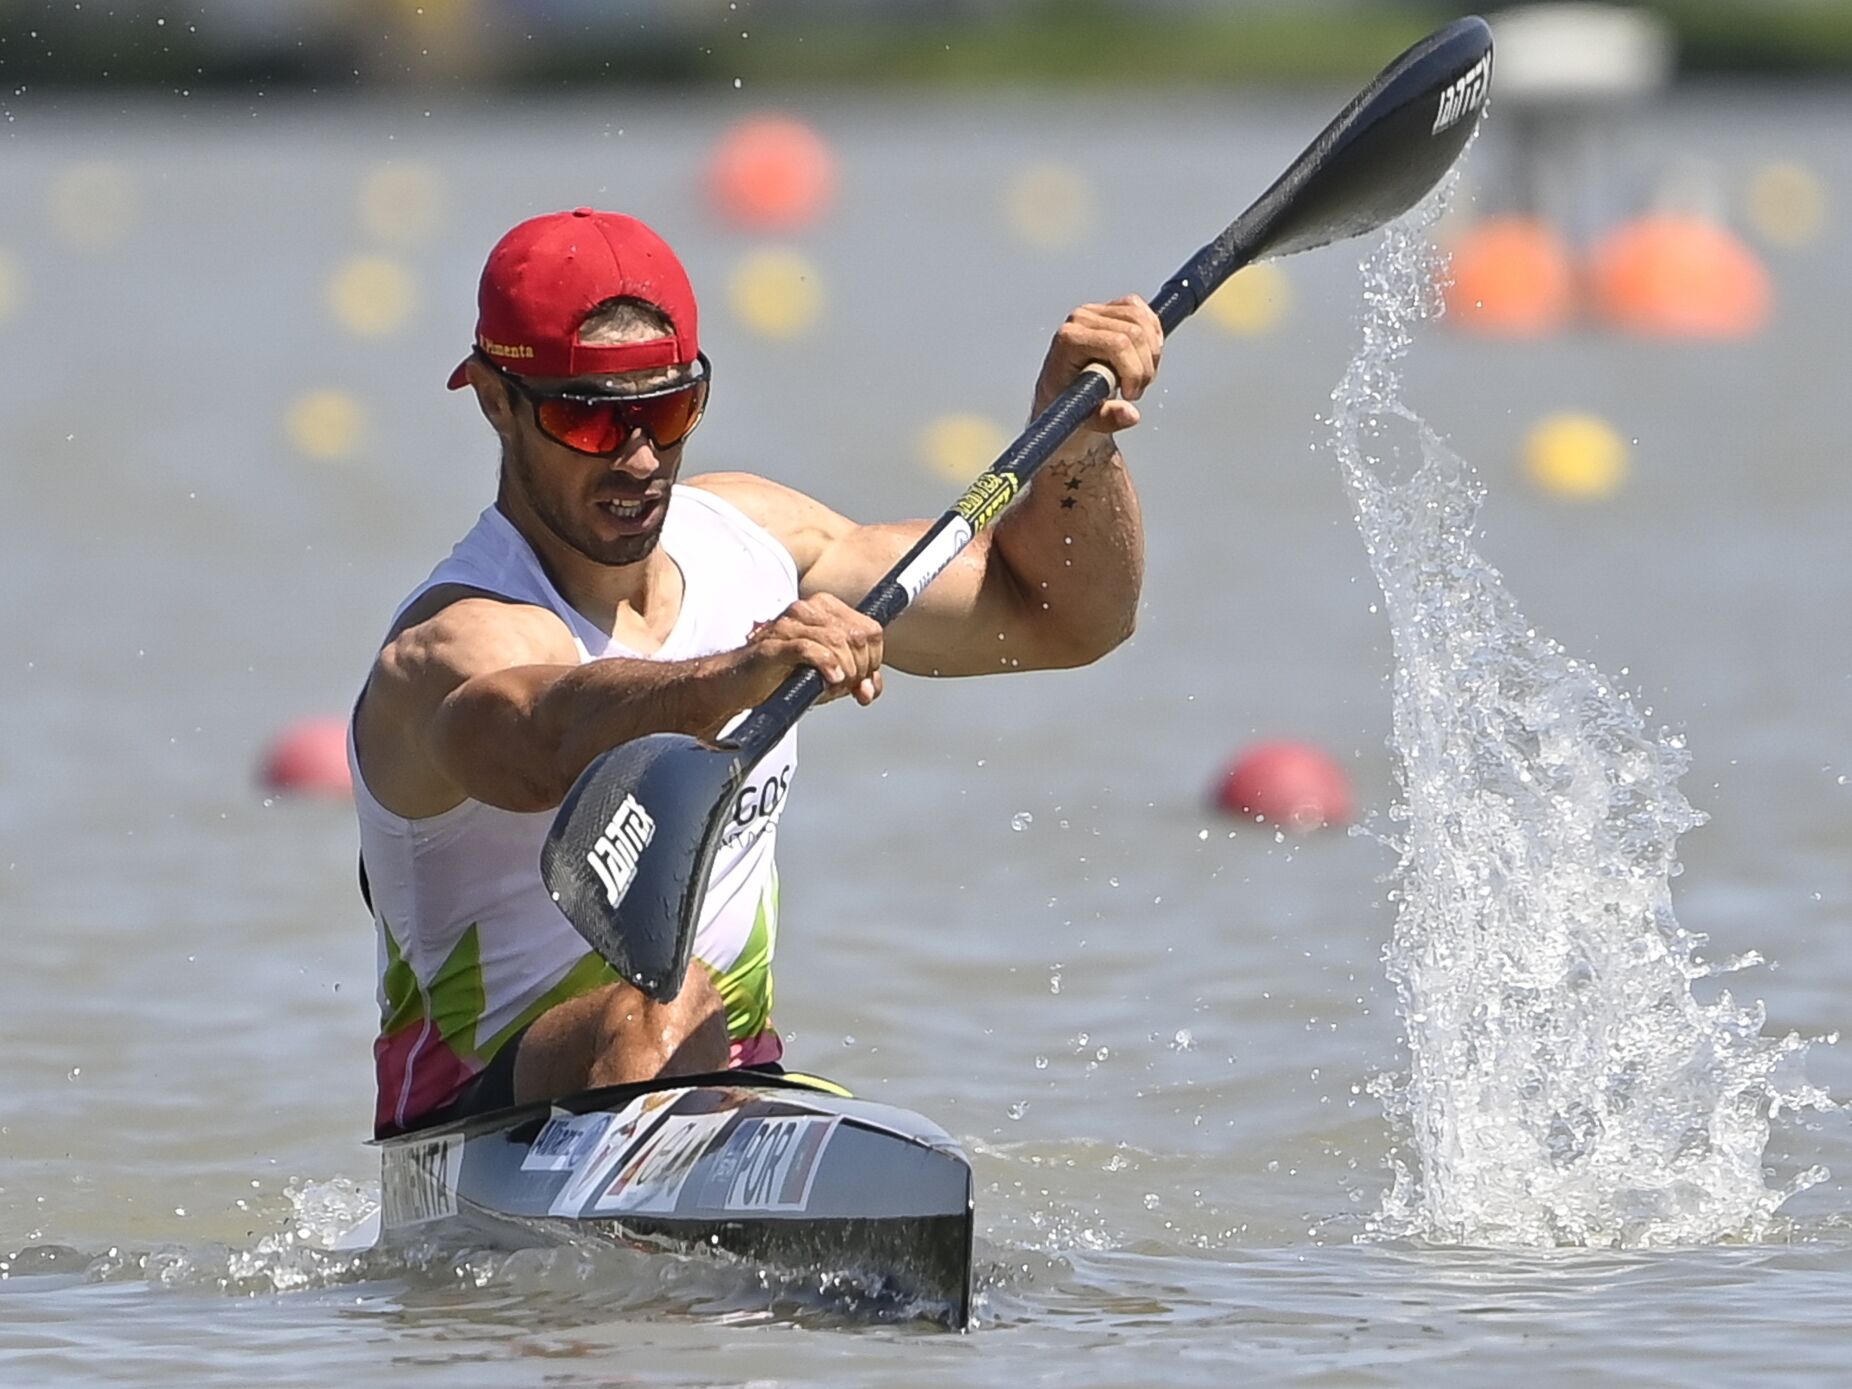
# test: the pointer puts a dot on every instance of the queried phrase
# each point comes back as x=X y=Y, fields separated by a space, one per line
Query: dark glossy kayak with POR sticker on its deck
x=784 y=1171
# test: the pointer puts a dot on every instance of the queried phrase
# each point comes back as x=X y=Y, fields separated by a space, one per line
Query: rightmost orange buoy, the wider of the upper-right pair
x=1675 y=275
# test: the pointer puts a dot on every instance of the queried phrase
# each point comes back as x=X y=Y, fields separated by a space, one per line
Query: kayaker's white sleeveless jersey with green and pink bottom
x=471 y=945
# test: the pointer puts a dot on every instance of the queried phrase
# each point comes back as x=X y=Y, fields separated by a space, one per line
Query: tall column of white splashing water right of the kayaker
x=1566 y=1086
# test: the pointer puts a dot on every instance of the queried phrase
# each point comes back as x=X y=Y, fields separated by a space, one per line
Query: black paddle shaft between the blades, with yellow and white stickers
x=990 y=495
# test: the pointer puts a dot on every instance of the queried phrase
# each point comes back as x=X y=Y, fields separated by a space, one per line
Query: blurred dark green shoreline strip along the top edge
x=521 y=44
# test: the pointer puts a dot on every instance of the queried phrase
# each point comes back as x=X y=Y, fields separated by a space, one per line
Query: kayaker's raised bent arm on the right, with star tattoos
x=1057 y=582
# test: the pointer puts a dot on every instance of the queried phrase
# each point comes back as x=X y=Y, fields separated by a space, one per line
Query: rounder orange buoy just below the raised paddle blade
x=1512 y=277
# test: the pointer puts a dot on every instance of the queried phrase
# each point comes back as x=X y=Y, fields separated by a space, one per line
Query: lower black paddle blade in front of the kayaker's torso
x=629 y=855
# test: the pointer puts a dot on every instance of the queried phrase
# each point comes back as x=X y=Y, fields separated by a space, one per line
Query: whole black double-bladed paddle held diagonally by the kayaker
x=632 y=845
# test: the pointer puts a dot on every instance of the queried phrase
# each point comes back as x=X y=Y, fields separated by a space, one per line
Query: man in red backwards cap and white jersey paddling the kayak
x=601 y=599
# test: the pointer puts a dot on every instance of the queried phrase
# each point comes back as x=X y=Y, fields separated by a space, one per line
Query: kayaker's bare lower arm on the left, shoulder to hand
x=482 y=699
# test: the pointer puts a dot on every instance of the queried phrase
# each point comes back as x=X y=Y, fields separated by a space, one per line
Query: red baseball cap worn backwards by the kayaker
x=551 y=271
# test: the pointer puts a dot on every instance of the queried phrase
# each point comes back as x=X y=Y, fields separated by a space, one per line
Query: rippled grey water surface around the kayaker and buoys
x=1149 y=1025
